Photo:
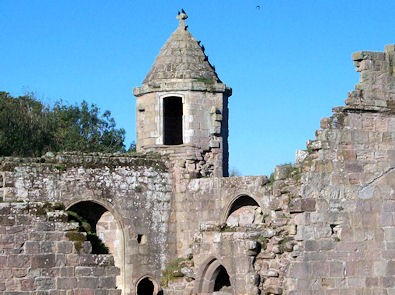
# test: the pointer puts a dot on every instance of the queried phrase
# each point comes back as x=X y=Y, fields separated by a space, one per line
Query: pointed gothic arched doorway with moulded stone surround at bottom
x=213 y=277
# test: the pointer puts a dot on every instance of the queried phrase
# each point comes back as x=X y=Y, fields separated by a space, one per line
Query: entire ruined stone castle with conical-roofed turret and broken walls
x=174 y=223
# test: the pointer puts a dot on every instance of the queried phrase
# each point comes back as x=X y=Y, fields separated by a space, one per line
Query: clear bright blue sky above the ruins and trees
x=288 y=62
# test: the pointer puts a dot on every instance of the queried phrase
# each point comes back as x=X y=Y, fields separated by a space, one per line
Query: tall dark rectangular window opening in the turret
x=172 y=121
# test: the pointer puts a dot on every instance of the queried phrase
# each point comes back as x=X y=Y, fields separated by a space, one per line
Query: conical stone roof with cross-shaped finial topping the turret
x=182 y=58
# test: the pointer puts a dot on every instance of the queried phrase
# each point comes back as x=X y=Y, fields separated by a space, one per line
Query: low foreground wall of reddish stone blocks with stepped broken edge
x=40 y=253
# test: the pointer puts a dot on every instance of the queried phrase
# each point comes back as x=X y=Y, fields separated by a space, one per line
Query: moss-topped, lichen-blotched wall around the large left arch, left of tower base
x=135 y=190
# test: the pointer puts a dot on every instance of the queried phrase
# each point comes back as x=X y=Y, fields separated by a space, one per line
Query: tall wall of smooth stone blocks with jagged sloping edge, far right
x=348 y=243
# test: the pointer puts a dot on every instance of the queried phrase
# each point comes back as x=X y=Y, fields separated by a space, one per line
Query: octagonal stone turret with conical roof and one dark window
x=182 y=107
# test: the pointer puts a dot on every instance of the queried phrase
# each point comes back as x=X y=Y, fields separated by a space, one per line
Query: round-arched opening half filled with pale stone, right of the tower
x=244 y=211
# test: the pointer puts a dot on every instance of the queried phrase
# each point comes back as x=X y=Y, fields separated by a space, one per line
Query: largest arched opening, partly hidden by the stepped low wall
x=103 y=230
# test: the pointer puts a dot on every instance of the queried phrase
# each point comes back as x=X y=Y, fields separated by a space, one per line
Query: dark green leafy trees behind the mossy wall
x=29 y=128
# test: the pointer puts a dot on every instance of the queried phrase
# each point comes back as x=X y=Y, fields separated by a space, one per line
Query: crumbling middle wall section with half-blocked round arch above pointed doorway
x=246 y=224
